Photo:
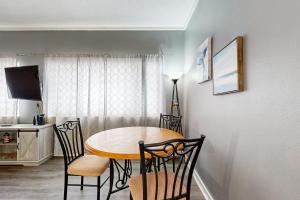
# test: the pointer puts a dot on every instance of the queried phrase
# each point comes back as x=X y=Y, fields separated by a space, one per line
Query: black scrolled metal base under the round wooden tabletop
x=123 y=174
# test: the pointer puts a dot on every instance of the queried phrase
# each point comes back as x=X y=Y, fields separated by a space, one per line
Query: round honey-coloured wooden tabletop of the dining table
x=122 y=143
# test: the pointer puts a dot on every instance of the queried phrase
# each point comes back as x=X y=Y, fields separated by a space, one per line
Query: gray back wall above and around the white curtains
x=169 y=43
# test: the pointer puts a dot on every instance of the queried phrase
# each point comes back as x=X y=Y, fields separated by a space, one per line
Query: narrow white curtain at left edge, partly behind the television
x=8 y=107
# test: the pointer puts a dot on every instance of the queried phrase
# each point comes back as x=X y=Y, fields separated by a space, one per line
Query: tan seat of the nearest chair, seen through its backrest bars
x=136 y=186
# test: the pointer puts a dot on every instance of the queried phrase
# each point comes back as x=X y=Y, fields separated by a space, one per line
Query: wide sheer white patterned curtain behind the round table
x=103 y=92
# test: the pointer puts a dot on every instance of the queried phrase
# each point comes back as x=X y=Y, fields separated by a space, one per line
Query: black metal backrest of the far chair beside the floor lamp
x=171 y=122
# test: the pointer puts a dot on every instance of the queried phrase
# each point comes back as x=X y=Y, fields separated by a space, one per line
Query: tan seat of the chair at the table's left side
x=88 y=165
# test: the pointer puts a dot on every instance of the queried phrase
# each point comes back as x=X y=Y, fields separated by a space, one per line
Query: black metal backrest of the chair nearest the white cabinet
x=70 y=138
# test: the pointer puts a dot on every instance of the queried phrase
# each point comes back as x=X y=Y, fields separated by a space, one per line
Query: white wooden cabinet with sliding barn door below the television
x=31 y=144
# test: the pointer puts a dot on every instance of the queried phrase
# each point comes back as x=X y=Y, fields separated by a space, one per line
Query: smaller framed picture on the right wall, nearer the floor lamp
x=203 y=61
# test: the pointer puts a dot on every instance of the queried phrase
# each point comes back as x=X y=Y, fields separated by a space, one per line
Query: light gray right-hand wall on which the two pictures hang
x=252 y=150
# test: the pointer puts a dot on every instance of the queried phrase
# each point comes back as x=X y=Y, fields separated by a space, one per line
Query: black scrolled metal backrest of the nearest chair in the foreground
x=185 y=151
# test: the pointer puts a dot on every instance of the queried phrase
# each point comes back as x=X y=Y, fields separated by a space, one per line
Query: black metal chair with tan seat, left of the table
x=76 y=163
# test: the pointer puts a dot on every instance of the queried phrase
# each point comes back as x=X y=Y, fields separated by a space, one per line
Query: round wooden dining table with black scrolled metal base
x=121 y=146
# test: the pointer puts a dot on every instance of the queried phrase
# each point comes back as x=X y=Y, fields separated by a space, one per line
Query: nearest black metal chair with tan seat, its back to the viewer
x=166 y=184
